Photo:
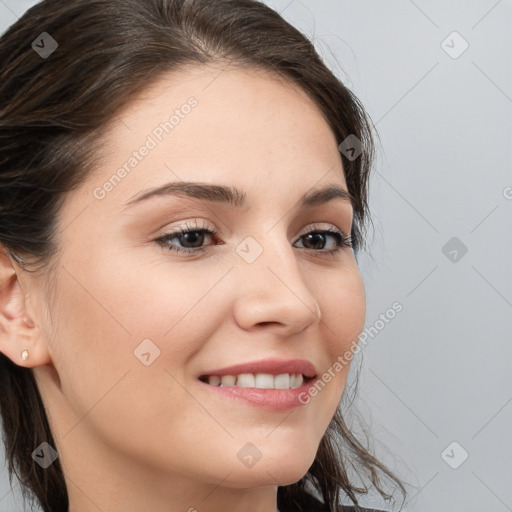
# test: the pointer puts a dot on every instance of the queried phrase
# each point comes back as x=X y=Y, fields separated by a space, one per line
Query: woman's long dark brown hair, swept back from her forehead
x=53 y=111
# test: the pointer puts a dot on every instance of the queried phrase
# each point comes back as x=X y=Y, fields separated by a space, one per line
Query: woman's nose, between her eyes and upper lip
x=272 y=291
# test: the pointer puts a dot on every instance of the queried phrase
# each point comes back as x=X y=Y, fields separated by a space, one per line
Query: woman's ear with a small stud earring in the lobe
x=18 y=329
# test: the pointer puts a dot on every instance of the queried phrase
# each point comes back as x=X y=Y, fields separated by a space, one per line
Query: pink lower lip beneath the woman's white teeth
x=275 y=400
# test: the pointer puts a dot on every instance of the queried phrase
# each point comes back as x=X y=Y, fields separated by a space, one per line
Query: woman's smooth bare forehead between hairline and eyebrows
x=240 y=126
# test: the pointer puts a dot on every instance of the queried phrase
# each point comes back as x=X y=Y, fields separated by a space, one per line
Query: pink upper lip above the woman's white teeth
x=270 y=366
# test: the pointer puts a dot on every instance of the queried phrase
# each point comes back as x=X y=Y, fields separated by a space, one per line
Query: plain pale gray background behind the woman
x=439 y=372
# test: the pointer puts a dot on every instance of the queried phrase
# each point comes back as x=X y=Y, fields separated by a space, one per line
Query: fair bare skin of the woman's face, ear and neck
x=133 y=437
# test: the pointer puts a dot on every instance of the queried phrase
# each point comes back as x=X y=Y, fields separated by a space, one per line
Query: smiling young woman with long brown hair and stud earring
x=183 y=191
